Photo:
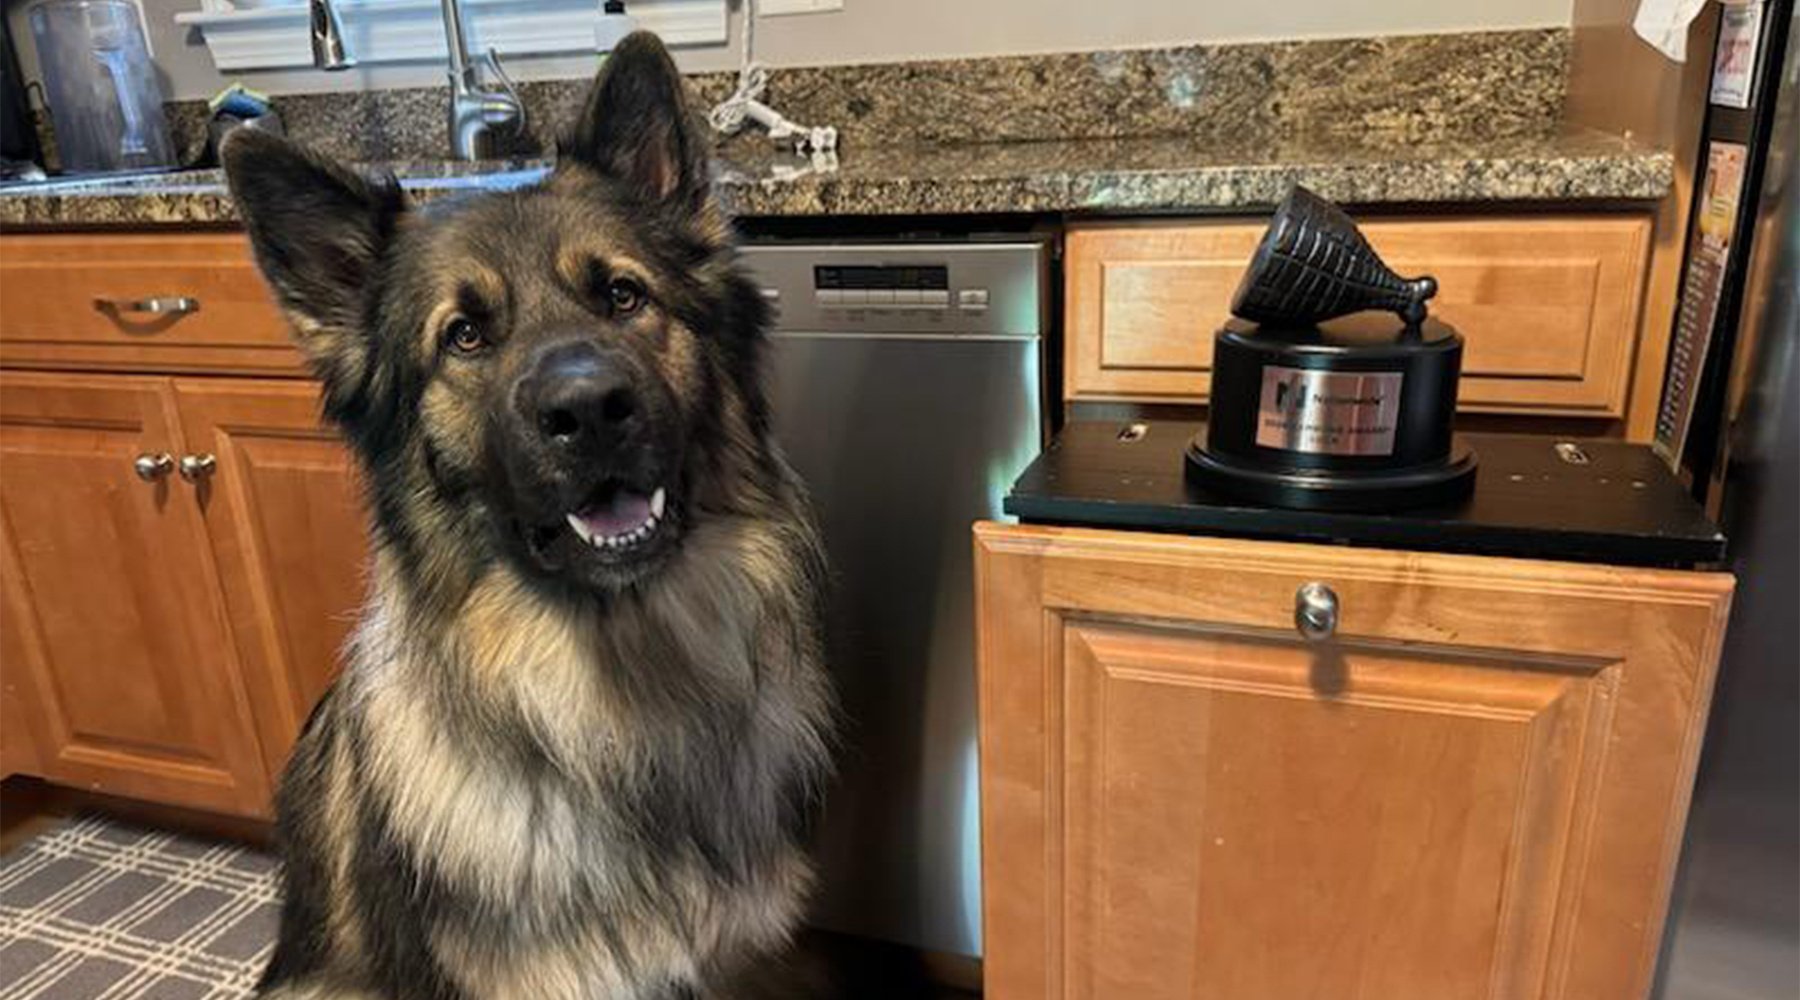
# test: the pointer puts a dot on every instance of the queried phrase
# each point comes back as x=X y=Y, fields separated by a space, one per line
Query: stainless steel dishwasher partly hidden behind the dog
x=908 y=389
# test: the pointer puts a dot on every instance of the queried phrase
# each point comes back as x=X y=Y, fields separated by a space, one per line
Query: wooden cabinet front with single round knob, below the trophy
x=1475 y=790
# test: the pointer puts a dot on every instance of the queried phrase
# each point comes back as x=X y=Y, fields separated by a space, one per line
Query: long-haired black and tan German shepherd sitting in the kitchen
x=582 y=726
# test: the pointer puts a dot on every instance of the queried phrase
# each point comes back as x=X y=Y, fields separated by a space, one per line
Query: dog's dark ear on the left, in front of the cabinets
x=318 y=231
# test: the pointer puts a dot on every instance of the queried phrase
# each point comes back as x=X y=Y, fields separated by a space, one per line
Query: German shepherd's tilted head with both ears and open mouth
x=566 y=375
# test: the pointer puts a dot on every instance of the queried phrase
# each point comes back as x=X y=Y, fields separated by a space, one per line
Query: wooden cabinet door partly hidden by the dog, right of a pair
x=287 y=530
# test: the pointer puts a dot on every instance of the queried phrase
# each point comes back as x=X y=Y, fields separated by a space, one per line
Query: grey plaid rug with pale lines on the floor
x=102 y=911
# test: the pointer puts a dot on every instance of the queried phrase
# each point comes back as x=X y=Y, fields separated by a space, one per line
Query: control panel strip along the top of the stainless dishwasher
x=951 y=289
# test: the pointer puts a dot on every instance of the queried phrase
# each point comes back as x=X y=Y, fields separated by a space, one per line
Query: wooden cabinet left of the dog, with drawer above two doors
x=166 y=639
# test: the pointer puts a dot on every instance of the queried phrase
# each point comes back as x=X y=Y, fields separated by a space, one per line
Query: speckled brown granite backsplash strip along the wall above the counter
x=1430 y=87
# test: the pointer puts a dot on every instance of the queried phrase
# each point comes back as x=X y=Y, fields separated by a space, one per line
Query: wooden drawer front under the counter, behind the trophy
x=1549 y=307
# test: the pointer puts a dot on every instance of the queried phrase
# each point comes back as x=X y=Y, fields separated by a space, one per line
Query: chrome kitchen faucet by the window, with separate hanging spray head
x=474 y=111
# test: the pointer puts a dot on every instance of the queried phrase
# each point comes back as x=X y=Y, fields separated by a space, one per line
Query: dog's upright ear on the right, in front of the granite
x=638 y=130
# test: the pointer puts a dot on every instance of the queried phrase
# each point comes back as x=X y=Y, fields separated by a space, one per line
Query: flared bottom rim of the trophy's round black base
x=1336 y=490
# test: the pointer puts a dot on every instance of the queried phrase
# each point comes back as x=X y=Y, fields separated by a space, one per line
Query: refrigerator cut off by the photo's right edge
x=1734 y=931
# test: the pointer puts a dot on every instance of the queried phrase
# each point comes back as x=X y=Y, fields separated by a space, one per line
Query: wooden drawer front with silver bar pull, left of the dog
x=96 y=298
